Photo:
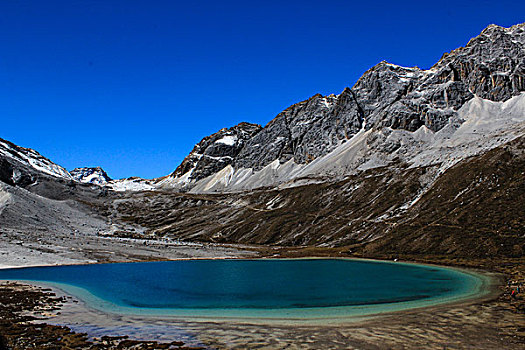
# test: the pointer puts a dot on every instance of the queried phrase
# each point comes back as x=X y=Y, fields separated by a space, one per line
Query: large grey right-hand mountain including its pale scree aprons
x=392 y=113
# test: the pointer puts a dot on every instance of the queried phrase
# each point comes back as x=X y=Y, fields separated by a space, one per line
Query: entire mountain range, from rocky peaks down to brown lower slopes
x=395 y=165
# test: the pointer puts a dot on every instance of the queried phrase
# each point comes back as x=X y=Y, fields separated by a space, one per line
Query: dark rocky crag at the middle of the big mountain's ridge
x=304 y=131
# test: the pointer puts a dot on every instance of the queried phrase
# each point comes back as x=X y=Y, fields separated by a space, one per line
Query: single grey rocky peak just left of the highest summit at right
x=408 y=98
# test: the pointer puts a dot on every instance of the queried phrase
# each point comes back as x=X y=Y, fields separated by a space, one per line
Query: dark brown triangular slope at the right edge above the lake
x=477 y=208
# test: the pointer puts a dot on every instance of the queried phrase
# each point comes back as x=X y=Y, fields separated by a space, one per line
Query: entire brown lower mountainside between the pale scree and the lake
x=474 y=209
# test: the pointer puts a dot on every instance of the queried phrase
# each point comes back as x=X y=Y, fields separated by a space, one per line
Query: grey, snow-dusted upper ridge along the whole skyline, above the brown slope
x=386 y=98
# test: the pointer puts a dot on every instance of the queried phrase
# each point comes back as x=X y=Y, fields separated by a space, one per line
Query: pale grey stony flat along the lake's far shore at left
x=39 y=248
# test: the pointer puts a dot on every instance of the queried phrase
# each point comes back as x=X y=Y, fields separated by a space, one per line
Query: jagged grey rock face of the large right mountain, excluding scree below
x=491 y=66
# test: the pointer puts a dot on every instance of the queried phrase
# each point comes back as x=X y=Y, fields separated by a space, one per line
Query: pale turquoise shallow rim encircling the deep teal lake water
x=486 y=288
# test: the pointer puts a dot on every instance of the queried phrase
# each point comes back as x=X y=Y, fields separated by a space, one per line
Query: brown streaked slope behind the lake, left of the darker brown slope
x=340 y=212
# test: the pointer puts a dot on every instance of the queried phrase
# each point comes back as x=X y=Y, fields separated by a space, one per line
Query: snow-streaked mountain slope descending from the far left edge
x=32 y=158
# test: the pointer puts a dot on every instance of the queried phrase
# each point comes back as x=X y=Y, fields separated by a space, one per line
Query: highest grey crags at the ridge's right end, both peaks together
x=490 y=66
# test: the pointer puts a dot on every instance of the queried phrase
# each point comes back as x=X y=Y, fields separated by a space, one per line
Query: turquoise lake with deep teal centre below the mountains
x=295 y=287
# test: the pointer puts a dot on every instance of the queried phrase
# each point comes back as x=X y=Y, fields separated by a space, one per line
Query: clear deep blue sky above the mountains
x=132 y=85
